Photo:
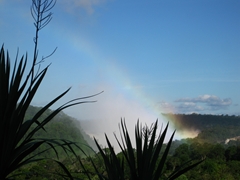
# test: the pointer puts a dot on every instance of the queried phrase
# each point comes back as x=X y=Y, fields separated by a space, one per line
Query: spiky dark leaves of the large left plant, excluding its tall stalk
x=17 y=142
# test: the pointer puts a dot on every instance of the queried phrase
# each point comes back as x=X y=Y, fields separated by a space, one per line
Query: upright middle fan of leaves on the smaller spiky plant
x=143 y=162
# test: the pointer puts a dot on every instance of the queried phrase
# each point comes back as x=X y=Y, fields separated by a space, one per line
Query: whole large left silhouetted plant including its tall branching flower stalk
x=17 y=89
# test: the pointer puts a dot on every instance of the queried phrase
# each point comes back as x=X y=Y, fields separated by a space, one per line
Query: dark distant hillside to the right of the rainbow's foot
x=212 y=128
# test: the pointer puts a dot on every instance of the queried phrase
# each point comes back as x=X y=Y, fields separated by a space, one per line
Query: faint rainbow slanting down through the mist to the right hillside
x=123 y=83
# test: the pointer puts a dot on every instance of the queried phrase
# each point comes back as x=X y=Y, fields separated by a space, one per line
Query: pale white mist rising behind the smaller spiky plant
x=104 y=116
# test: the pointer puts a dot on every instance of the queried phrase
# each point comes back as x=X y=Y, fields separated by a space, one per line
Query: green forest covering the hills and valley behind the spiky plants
x=221 y=160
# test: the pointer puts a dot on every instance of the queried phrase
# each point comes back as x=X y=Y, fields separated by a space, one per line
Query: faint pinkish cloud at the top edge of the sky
x=87 y=5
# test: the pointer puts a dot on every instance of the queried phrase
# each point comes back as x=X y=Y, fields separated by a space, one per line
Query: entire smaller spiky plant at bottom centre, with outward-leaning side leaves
x=145 y=162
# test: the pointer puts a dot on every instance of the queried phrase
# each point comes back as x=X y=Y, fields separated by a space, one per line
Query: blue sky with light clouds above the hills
x=149 y=57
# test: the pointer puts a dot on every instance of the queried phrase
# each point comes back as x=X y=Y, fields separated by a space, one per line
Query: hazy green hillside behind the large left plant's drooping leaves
x=61 y=127
